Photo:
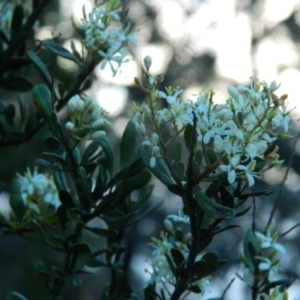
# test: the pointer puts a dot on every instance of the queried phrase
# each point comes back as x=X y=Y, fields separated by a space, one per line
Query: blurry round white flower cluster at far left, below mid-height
x=38 y=191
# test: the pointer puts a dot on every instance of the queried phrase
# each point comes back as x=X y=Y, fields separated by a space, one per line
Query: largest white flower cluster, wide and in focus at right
x=238 y=132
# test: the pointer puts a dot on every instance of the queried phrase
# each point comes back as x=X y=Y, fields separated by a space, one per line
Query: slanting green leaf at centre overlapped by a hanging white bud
x=160 y=170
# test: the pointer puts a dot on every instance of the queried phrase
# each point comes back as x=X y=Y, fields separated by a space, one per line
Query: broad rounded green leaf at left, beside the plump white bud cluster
x=41 y=98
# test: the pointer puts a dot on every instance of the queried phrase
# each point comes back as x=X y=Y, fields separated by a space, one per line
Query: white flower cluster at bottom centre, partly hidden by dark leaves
x=162 y=256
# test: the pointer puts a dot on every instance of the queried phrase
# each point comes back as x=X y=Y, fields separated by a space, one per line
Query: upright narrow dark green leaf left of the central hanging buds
x=127 y=144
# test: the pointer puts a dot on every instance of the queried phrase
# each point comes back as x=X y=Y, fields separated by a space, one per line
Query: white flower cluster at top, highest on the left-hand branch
x=108 y=43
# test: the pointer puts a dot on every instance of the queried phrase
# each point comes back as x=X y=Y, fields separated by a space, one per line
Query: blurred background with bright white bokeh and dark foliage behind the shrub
x=197 y=44
